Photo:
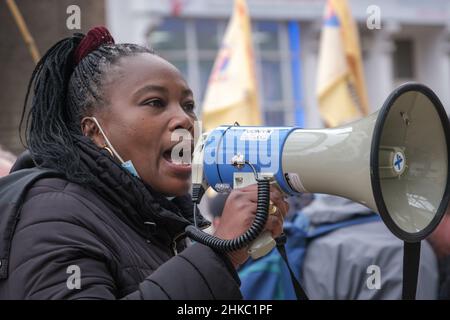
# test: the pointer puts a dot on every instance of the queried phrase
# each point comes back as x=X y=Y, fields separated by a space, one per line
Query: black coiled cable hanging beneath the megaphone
x=251 y=234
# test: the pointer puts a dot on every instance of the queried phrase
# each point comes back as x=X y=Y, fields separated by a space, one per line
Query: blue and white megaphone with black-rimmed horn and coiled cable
x=395 y=161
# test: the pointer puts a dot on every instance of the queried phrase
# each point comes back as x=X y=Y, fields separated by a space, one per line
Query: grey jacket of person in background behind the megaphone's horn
x=341 y=264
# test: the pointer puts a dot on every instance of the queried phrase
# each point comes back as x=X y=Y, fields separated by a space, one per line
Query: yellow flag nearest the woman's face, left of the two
x=232 y=91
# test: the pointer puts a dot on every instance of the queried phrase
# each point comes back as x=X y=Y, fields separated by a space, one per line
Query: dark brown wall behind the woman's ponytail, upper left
x=47 y=23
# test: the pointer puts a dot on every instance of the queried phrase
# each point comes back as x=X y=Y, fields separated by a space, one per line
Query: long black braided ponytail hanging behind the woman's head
x=46 y=130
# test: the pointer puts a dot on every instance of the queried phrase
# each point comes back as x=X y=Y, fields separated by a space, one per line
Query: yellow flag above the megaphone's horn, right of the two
x=341 y=87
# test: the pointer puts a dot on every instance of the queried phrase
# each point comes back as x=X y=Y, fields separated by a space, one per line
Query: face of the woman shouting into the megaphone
x=147 y=101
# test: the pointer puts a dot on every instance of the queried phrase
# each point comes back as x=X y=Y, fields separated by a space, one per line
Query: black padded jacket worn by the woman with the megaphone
x=63 y=226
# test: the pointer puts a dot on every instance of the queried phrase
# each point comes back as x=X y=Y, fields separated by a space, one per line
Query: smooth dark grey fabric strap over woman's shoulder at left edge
x=13 y=189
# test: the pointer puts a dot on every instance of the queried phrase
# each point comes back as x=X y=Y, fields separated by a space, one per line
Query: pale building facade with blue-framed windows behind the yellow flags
x=412 y=43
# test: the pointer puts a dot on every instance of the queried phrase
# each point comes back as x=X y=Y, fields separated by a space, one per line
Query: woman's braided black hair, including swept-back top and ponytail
x=63 y=95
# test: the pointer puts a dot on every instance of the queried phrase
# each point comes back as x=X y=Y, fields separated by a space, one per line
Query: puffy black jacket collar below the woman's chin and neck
x=137 y=199
